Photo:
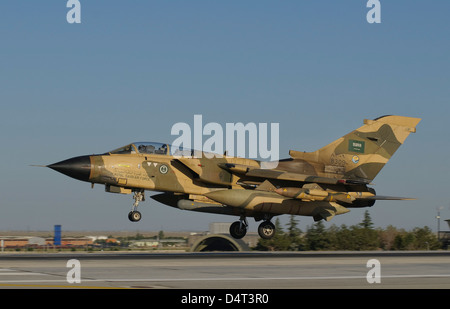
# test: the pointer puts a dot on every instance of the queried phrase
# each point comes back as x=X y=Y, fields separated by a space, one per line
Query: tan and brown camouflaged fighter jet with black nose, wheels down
x=320 y=184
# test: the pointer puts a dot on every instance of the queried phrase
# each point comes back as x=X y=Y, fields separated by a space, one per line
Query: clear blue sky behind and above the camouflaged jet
x=132 y=69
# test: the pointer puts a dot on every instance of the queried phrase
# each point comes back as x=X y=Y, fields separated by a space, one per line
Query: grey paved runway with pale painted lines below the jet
x=234 y=270
